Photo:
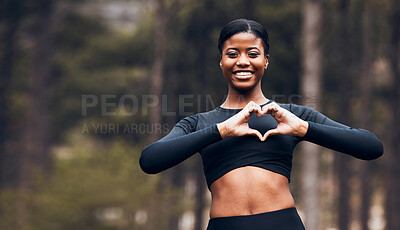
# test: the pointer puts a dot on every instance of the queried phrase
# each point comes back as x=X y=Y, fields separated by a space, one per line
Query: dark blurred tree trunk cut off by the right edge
x=392 y=156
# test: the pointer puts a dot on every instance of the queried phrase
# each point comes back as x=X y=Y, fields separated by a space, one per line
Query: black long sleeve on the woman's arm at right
x=359 y=143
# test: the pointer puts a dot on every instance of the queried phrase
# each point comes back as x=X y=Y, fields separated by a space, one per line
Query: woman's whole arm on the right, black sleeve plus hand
x=310 y=125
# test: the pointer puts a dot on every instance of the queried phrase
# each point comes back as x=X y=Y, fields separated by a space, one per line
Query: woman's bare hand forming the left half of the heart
x=238 y=125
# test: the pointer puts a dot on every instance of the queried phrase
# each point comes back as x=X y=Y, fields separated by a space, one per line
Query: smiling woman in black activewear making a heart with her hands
x=247 y=143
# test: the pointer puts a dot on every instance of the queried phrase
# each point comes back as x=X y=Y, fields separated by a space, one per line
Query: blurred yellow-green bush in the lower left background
x=94 y=185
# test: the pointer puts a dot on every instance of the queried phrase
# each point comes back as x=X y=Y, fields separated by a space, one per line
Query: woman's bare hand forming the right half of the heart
x=288 y=123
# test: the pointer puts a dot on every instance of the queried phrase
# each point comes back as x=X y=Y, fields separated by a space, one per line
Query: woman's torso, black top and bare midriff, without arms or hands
x=246 y=176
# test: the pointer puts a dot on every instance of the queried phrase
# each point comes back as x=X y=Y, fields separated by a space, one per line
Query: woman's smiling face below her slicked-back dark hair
x=243 y=61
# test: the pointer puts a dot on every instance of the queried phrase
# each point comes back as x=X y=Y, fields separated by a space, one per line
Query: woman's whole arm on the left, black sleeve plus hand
x=183 y=141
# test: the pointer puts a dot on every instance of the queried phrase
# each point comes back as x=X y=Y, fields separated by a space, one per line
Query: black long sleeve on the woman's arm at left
x=181 y=143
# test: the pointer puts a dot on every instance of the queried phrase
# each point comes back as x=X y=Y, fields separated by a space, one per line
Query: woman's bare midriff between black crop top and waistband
x=249 y=190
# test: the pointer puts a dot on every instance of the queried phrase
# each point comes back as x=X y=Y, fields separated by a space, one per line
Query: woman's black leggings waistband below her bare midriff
x=285 y=219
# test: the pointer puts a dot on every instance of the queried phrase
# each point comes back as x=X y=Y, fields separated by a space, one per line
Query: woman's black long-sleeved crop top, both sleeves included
x=199 y=133
